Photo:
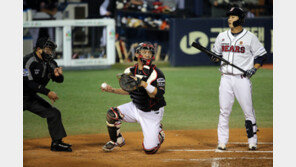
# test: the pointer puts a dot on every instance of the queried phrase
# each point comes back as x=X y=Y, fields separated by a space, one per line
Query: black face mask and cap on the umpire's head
x=48 y=48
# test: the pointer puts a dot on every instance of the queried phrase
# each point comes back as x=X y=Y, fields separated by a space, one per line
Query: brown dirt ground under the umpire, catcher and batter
x=180 y=148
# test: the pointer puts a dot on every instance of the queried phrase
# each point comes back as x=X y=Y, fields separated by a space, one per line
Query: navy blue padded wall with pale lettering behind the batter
x=205 y=30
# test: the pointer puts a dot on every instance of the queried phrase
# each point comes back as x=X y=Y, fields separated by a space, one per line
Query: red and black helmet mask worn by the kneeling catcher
x=145 y=46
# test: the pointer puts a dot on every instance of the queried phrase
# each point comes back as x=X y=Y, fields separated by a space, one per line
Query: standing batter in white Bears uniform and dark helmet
x=242 y=48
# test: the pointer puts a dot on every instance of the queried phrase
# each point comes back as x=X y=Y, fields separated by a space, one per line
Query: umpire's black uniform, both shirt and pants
x=36 y=75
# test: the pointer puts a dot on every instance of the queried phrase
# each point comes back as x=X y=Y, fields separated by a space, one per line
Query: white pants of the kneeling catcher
x=149 y=121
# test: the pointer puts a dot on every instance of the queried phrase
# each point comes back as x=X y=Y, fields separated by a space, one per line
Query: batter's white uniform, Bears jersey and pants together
x=241 y=50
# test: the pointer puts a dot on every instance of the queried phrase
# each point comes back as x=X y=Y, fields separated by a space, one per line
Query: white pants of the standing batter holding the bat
x=232 y=86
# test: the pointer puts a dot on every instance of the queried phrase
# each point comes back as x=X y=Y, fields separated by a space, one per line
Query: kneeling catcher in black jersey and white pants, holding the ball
x=145 y=84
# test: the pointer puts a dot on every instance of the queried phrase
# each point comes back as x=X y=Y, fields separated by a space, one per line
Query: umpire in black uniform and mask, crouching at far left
x=38 y=68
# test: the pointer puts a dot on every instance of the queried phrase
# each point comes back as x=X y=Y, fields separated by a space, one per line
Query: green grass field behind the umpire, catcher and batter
x=191 y=95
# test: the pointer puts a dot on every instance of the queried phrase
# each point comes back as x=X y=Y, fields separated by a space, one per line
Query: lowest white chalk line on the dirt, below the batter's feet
x=217 y=159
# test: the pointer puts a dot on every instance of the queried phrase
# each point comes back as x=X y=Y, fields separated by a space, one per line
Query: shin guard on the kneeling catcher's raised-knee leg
x=114 y=118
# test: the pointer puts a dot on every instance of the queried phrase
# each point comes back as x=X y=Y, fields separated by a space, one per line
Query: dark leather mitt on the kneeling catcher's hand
x=128 y=83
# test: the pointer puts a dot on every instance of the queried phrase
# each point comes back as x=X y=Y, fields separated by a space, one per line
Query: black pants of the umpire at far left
x=41 y=107
